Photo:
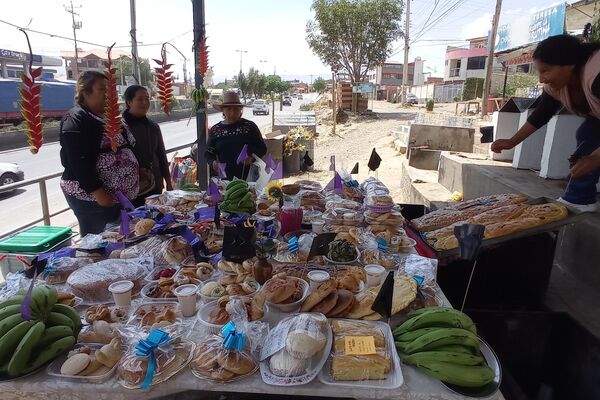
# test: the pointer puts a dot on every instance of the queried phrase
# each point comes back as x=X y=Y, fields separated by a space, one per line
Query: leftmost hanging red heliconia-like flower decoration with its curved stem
x=30 y=104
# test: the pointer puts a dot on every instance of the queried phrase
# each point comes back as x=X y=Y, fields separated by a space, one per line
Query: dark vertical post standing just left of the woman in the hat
x=201 y=121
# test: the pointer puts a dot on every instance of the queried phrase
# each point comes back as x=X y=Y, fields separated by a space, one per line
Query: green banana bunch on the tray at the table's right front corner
x=442 y=342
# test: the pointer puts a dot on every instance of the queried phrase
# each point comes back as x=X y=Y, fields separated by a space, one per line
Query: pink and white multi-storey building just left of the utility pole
x=466 y=62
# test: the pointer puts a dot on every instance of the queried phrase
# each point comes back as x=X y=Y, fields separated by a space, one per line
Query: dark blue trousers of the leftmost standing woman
x=91 y=216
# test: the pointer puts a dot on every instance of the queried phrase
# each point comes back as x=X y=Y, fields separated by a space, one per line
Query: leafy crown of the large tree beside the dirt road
x=355 y=35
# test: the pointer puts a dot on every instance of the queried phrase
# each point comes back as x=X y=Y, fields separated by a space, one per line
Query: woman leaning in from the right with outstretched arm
x=570 y=72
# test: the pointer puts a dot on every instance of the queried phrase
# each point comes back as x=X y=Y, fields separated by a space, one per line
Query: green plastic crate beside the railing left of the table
x=35 y=240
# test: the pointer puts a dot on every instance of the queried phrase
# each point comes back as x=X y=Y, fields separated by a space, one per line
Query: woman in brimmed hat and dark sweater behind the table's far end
x=227 y=138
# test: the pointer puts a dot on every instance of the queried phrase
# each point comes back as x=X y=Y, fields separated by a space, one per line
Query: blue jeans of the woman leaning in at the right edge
x=583 y=190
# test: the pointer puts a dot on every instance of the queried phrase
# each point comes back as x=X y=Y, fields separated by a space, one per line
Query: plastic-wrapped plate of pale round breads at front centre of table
x=295 y=350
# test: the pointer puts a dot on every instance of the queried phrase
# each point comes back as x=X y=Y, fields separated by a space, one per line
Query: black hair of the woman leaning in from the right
x=564 y=50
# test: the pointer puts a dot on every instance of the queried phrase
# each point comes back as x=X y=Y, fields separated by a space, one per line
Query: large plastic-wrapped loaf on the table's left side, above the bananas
x=92 y=281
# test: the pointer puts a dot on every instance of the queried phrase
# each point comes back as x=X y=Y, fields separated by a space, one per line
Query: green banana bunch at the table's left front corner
x=26 y=345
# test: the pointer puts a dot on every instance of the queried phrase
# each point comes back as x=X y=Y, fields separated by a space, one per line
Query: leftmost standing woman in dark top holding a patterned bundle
x=93 y=172
